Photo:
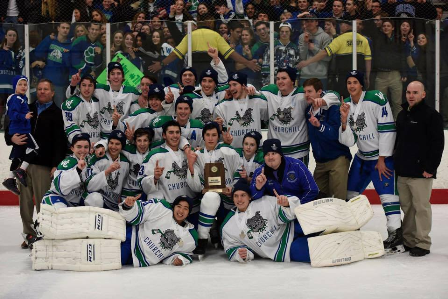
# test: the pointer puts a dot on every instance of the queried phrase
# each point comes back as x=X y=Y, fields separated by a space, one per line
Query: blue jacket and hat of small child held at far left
x=17 y=108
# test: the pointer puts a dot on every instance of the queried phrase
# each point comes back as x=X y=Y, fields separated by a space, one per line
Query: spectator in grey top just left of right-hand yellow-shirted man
x=311 y=42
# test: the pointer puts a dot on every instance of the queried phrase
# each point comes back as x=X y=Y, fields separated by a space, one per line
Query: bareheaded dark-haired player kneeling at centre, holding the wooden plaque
x=213 y=152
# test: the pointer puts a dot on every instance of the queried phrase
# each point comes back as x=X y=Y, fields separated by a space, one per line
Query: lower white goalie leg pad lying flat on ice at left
x=76 y=255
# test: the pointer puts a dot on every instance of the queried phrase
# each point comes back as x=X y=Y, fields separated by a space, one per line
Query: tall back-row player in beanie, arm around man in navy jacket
x=286 y=110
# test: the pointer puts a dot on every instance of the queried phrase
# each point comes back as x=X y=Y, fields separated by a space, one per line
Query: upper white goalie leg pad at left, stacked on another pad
x=80 y=222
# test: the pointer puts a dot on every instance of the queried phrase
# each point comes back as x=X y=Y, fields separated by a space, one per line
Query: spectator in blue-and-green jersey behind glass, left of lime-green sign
x=86 y=51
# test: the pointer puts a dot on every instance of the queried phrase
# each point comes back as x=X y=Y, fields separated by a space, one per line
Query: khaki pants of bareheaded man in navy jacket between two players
x=331 y=177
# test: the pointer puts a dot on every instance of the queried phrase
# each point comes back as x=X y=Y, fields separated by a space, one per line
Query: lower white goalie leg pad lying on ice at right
x=344 y=248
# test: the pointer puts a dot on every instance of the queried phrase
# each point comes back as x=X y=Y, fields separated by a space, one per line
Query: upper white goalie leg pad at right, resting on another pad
x=329 y=215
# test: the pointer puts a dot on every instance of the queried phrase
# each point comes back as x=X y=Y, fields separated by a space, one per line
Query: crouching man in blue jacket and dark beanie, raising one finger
x=286 y=175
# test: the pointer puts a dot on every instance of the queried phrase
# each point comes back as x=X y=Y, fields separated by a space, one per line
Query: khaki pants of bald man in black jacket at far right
x=414 y=201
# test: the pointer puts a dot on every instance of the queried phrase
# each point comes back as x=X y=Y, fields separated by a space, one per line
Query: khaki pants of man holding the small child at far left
x=38 y=181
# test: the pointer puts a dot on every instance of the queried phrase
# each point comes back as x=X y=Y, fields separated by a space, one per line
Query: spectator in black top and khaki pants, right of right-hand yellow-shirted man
x=389 y=64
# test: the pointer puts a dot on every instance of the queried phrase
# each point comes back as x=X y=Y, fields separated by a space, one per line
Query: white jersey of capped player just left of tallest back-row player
x=242 y=116
